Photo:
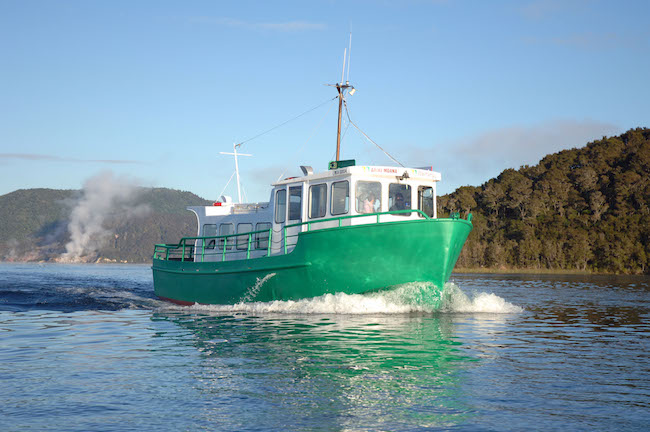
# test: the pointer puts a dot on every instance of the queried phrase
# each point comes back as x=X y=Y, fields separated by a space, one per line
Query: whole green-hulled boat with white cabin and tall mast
x=350 y=229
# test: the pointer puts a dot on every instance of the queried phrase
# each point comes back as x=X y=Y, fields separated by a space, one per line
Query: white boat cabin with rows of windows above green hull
x=314 y=201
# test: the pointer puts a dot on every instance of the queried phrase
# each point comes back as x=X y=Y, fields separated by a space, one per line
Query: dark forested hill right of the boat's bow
x=579 y=209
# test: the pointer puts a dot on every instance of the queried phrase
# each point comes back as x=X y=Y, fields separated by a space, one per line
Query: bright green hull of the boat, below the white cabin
x=350 y=259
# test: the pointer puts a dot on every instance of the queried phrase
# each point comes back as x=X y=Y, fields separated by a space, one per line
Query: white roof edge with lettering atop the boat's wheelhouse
x=367 y=171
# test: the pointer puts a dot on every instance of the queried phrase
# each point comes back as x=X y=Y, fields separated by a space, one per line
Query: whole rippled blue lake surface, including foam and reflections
x=89 y=348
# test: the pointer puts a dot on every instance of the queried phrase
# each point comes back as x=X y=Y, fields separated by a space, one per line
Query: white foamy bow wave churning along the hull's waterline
x=407 y=298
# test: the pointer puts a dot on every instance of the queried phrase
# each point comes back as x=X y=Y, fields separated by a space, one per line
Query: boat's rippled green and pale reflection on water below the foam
x=333 y=371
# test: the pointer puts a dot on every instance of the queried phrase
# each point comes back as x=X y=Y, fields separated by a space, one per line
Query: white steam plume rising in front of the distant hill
x=105 y=197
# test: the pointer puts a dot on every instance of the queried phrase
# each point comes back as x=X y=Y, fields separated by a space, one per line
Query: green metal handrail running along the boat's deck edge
x=187 y=250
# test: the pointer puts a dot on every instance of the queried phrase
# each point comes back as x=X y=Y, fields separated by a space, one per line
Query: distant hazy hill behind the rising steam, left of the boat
x=34 y=224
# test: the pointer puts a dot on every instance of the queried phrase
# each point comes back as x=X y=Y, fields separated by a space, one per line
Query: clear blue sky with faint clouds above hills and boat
x=154 y=90
